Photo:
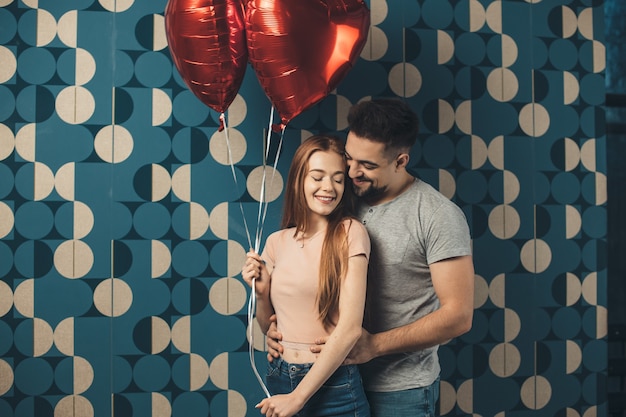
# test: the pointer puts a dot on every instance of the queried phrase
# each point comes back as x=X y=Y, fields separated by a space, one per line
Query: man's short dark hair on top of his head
x=385 y=120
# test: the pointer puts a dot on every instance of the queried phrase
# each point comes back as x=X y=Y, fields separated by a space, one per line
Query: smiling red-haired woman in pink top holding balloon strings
x=316 y=267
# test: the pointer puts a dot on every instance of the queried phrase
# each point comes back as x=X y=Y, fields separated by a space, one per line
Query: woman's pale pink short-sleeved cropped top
x=295 y=274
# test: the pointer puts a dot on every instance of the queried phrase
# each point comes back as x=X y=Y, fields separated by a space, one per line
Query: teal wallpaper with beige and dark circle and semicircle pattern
x=121 y=224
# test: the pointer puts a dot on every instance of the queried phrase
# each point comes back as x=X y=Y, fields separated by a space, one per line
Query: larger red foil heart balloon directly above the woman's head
x=302 y=49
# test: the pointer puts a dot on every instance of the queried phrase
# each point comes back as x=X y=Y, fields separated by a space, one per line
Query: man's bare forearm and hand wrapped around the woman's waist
x=453 y=281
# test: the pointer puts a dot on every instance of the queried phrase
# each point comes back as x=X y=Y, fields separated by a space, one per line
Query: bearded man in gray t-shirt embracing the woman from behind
x=421 y=273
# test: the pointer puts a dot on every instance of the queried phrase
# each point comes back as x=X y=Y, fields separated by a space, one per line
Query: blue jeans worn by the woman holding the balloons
x=341 y=395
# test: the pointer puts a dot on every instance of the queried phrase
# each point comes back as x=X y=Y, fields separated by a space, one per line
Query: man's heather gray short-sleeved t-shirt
x=419 y=227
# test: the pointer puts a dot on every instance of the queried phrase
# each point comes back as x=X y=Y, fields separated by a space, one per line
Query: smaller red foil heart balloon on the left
x=207 y=42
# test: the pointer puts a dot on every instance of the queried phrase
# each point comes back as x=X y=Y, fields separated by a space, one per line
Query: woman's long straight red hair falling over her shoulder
x=334 y=256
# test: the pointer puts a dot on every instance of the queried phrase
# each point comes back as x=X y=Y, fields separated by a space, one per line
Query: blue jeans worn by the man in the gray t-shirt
x=417 y=402
